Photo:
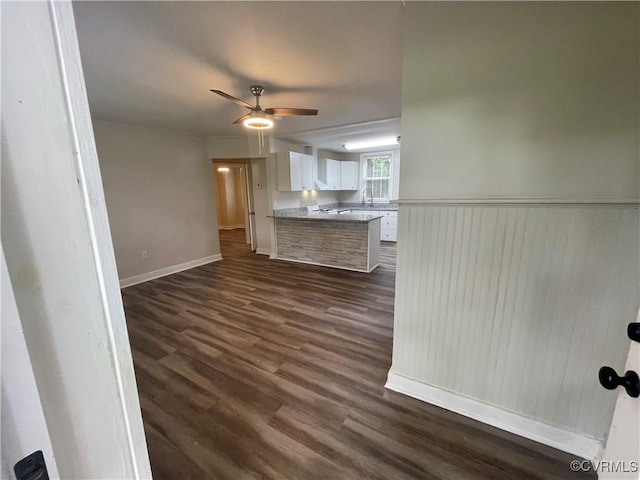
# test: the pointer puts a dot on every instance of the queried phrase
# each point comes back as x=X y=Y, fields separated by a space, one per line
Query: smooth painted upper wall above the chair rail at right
x=526 y=100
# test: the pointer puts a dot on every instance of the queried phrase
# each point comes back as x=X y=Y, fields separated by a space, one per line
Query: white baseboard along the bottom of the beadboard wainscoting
x=556 y=437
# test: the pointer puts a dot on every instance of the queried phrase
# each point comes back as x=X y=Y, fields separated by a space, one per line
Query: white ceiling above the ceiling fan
x=153 y=64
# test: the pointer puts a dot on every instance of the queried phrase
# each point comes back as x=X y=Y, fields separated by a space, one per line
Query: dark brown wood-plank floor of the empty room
x=255 y=368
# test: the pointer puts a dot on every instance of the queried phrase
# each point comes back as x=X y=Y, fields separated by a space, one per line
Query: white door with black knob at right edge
x=621 y=459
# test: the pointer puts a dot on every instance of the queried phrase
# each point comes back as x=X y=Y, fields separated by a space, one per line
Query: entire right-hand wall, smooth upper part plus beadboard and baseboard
x=510 y=291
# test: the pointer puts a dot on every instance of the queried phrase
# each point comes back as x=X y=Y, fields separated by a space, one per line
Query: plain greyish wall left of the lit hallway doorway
x=160 y=197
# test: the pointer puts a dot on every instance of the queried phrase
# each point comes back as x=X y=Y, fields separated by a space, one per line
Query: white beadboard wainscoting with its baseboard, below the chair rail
x=515 y=307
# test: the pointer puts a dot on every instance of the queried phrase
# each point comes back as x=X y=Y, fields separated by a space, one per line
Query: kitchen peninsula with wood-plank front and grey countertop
x=348 y=241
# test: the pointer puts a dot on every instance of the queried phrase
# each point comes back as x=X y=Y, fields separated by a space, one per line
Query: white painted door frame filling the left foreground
x=58 y=249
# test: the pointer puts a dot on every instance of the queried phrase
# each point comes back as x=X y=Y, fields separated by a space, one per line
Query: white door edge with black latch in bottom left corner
x=24 y=429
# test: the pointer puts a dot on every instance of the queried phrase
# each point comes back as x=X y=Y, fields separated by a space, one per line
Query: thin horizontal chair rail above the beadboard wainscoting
x=519 y=201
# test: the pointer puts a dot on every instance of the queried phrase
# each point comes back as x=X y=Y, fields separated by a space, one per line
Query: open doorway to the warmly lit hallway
x=234 y=203
